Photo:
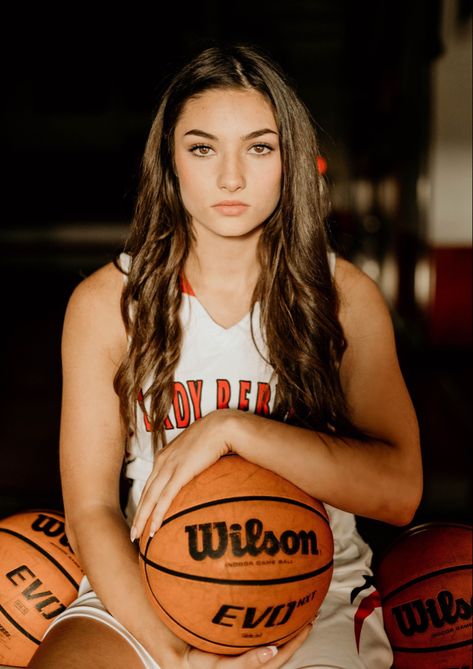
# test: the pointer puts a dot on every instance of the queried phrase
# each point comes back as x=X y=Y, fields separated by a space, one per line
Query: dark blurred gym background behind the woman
x=389 y=84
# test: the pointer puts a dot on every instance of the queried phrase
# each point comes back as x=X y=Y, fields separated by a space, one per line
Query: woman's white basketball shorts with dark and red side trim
x=346 y=635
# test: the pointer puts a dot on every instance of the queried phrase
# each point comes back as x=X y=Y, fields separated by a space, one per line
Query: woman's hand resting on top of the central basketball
x=195 y=449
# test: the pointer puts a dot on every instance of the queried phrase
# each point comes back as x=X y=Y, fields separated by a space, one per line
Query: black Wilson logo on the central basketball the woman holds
x=213 y=540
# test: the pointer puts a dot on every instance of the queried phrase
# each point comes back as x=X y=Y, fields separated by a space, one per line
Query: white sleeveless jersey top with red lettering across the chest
x=223 y=368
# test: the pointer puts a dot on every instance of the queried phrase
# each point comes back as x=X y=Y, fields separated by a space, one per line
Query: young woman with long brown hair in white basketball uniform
x=227 y=276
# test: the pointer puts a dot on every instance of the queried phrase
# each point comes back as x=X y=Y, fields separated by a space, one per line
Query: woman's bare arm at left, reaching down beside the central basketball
x=92 y=449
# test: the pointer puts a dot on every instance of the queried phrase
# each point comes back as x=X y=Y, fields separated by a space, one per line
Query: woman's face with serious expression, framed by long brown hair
x=227 y=158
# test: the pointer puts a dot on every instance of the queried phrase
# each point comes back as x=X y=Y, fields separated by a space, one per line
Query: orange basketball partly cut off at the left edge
x=39 y=577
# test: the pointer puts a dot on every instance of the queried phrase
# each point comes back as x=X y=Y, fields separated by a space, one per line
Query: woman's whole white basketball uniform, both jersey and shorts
x=221 y=368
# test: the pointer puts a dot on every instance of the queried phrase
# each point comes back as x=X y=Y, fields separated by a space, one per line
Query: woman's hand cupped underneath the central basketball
x=265 y=656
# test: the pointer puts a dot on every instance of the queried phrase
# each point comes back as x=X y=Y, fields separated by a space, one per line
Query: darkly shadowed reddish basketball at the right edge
x=424 y=580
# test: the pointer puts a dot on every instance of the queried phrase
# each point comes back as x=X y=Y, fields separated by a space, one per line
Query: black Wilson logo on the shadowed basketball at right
x=417 y=616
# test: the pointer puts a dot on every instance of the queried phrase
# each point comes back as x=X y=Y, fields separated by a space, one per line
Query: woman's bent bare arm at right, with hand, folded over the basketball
x=381 y=479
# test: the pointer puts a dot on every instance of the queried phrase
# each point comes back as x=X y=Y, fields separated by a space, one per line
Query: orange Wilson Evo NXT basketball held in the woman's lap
x=242 y=559
